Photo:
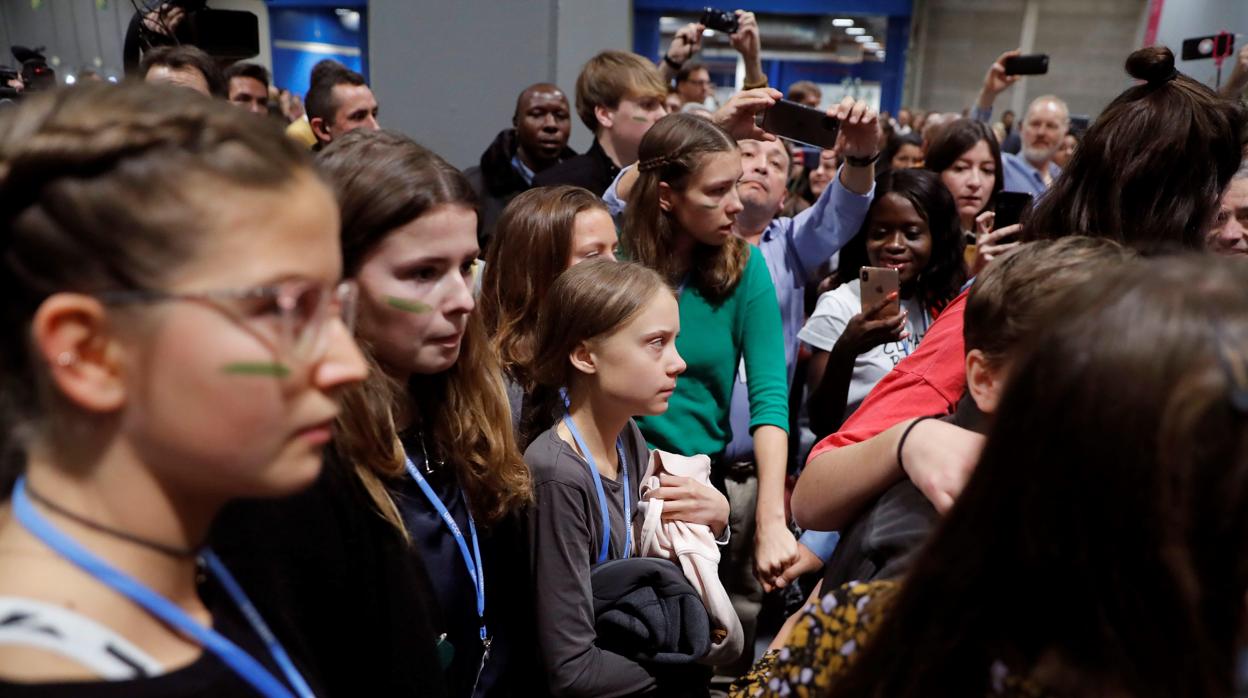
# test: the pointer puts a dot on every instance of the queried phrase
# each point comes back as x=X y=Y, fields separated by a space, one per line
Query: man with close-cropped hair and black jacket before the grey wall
x=537 y=140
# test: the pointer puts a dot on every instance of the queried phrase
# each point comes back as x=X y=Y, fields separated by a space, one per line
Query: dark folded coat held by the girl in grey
x=647 y=611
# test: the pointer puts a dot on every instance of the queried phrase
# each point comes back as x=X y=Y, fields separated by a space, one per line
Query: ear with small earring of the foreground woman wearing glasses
x=83 y=358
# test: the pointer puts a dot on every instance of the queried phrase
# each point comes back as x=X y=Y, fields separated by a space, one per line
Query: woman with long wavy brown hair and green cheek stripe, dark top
x=434 y=428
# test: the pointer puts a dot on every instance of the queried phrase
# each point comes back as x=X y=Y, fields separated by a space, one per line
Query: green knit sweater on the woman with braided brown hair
x=713 y=340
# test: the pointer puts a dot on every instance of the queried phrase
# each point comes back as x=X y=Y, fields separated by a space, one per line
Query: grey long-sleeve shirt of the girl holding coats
x=566 y=534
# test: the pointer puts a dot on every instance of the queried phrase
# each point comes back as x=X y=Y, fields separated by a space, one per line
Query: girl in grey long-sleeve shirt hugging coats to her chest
x=606 y=337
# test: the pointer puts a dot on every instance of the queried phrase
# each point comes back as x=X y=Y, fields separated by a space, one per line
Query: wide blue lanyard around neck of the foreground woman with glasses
x=230 y=654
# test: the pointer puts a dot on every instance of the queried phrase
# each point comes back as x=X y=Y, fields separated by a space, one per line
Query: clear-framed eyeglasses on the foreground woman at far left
x=290 y=318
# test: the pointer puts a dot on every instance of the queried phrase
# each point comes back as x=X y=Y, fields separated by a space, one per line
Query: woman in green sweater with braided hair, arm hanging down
x=680 y=222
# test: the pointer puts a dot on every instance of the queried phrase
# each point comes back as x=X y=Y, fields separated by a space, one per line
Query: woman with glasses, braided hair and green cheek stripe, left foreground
x=167 y=350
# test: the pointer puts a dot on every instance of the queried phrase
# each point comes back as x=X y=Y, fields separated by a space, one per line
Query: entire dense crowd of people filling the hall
x=291 y=406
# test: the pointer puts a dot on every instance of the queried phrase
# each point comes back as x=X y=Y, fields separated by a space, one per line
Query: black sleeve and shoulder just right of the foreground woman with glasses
x=326 y=570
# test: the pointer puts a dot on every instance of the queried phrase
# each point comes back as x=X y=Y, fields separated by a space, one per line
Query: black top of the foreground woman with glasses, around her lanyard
x=207 y=677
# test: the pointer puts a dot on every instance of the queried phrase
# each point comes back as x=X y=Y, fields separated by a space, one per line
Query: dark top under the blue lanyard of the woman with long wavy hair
x=510 y=670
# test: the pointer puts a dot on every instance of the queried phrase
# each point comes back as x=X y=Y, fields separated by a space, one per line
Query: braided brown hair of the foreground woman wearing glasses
x=107 y=188
